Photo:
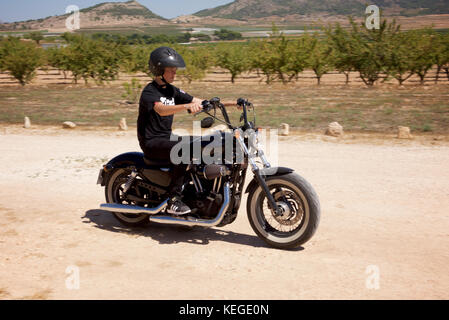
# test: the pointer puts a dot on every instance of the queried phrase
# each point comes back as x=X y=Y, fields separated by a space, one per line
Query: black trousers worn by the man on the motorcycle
x=159 y=149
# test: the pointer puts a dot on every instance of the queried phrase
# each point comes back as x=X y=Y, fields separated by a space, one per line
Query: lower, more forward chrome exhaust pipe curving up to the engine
x=190 y=221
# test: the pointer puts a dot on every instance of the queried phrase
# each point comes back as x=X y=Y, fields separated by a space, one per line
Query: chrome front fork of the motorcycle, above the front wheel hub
x=256 y=171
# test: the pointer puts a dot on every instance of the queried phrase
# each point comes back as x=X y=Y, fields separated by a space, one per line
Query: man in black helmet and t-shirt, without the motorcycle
x=159 y=101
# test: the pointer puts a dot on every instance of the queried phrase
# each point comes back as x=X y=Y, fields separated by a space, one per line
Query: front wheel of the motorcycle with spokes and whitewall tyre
x=299 y=207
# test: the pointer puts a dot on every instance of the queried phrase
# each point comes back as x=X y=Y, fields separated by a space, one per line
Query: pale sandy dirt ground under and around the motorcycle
x=384 y=231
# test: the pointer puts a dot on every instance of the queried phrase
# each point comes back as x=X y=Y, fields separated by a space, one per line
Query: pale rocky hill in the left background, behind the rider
x=105 y=14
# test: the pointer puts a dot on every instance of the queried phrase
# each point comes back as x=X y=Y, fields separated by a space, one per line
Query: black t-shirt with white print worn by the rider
x=149 y=123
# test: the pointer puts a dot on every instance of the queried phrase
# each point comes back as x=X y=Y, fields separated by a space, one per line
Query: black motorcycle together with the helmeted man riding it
x=283 y=208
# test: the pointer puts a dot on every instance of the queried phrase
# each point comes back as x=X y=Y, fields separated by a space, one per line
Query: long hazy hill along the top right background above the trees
x=243 y=9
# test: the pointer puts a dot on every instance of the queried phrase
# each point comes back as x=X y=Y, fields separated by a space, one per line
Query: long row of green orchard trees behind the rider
x=376 y=55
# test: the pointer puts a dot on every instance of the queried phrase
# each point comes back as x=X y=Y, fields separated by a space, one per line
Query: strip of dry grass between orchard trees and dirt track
x=305 y=108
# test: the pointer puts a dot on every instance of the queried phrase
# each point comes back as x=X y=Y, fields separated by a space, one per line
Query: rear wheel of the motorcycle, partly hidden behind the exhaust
x=114 y=194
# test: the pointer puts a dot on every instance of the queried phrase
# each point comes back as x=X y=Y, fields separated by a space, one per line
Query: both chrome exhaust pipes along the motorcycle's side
x=181 y=220
